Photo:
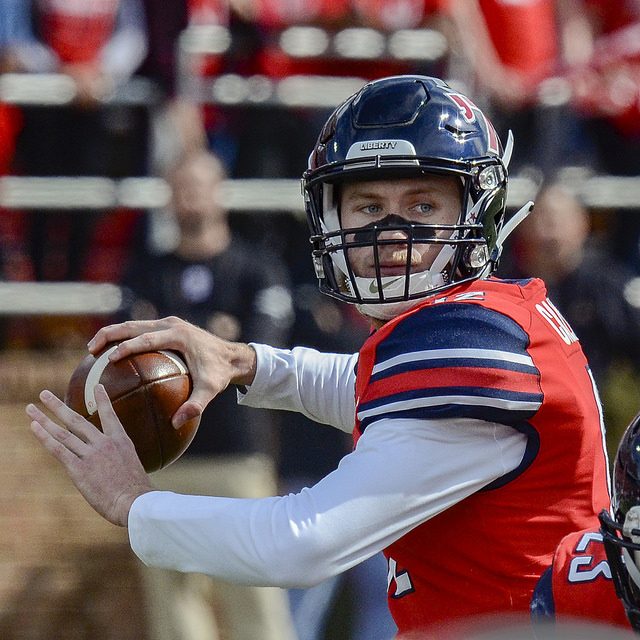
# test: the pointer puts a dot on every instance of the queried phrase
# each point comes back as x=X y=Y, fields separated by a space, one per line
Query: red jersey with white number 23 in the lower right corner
x=581 y=581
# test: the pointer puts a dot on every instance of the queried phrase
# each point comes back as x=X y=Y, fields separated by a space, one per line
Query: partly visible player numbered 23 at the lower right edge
x=595 y=574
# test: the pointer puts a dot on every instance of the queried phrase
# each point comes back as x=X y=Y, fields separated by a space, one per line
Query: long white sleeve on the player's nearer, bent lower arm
x=401 y=473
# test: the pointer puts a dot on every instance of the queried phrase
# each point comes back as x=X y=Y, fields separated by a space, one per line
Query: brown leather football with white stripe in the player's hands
x=145 y=389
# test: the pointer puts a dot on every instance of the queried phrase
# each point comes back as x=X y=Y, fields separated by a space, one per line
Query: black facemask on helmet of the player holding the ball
x=458 y=252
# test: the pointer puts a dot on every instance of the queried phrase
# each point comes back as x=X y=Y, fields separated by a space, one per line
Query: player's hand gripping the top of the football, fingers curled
x=214 y=363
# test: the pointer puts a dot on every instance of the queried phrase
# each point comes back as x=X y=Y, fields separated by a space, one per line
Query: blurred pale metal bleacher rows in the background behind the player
x=248 y=195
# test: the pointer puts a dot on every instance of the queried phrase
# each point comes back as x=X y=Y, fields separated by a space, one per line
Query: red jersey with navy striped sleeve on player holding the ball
x=497 y=351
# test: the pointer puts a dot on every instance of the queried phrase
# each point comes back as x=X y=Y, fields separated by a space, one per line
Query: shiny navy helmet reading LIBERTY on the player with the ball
x=407 y=126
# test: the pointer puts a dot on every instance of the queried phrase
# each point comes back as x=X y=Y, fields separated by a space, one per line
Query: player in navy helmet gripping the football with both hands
x=477 y=428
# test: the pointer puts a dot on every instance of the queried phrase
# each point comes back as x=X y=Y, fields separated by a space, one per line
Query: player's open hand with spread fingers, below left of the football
x=103 y=465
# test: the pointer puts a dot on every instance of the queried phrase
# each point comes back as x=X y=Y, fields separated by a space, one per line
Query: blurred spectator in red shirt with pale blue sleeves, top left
x=99 y=44
